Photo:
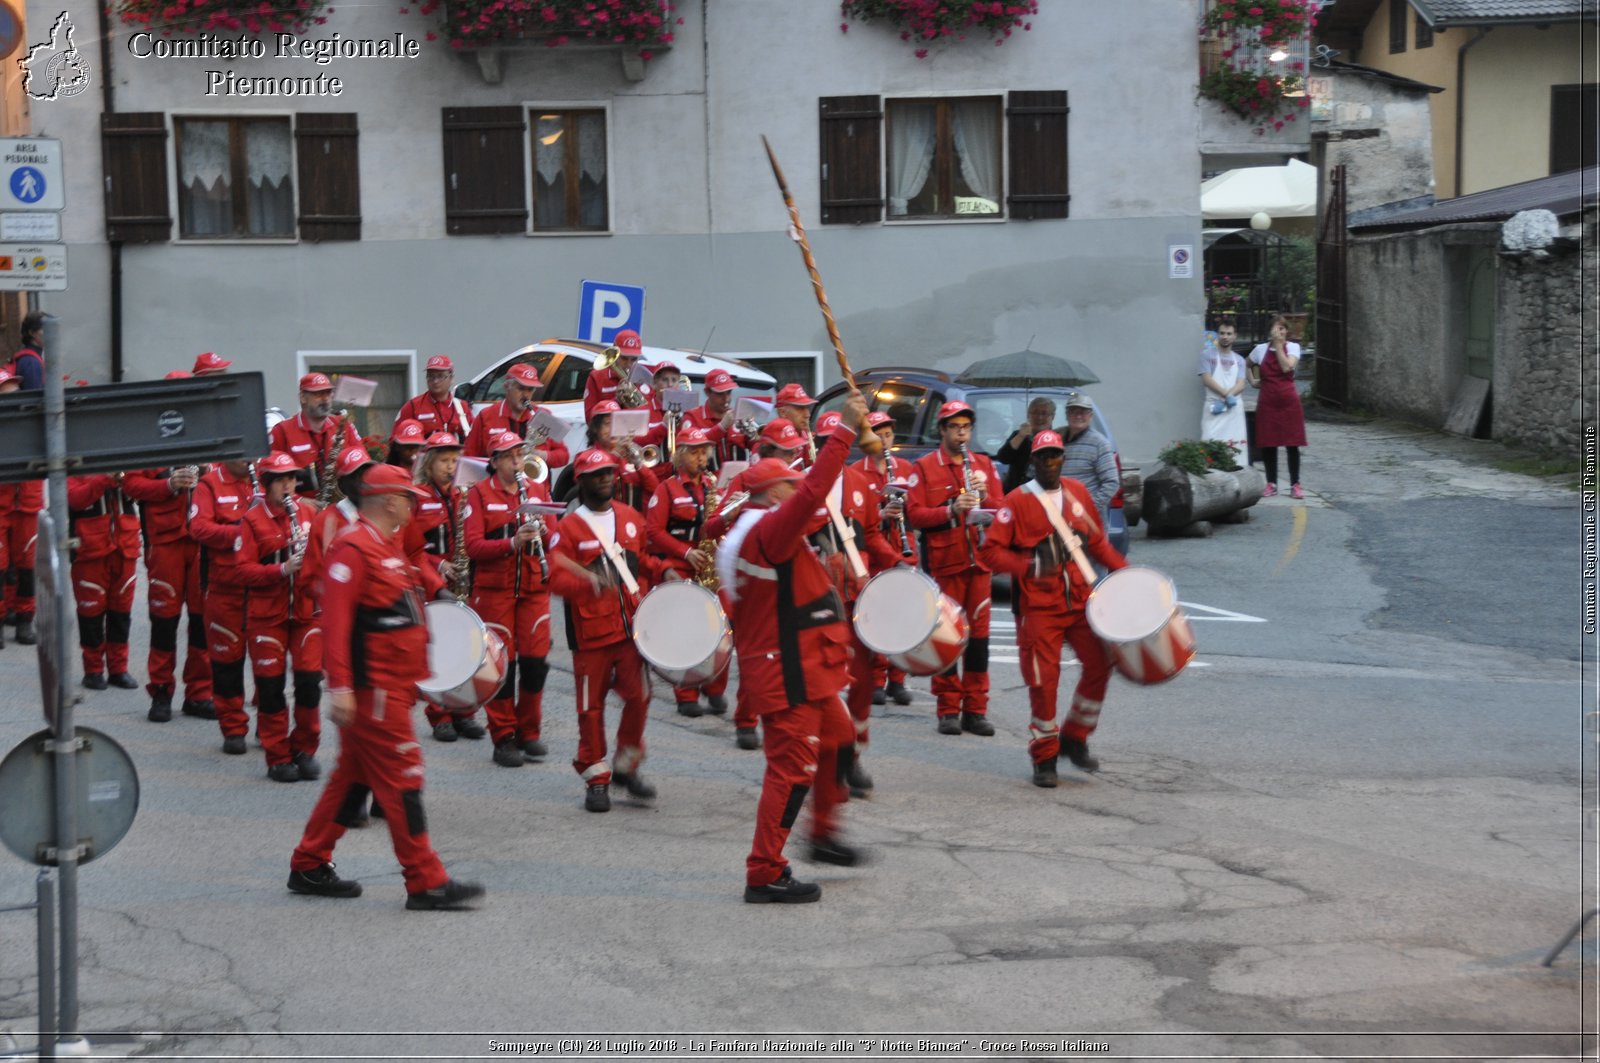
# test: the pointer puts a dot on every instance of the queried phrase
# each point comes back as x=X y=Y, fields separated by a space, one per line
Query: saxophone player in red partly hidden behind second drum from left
x=674 y=529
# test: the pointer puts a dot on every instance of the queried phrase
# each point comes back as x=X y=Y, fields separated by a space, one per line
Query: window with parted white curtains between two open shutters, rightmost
x=945 y=158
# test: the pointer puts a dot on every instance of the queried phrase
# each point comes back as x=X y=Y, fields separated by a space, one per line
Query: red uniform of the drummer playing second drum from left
x=599 y=632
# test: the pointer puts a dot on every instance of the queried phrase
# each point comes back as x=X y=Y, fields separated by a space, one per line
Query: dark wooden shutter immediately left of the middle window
x=486 y=187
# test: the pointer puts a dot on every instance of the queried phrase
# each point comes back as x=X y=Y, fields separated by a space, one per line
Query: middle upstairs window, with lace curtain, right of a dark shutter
x=569 y=172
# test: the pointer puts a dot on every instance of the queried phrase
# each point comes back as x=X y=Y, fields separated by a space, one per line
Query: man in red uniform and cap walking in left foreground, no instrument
x=377 y=651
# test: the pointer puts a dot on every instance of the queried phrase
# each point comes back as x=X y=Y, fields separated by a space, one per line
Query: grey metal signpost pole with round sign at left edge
x=66 y=748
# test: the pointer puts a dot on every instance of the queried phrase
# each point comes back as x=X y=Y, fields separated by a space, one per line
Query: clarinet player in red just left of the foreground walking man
x=281 y=622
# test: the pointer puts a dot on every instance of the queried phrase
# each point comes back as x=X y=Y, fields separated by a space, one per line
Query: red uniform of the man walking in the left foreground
x=377 y=648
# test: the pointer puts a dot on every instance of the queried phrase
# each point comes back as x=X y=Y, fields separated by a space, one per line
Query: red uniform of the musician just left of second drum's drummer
x=511 y=595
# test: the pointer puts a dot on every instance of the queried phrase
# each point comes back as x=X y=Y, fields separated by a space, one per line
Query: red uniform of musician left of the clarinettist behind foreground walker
x=215 y=523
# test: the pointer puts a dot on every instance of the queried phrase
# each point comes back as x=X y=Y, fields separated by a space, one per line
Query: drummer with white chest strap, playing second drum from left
x=601 y=569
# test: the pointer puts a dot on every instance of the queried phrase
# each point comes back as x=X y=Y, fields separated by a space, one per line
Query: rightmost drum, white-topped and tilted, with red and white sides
x=1135 y=614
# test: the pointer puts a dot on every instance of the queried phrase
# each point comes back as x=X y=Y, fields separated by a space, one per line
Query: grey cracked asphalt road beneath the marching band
x=1351 y=828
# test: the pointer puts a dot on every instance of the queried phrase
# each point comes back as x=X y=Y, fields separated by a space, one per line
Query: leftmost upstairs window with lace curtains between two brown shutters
x=234 y=179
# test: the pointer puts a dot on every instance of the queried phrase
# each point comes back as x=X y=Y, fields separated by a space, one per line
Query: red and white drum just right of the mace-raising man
x=903 y=616
